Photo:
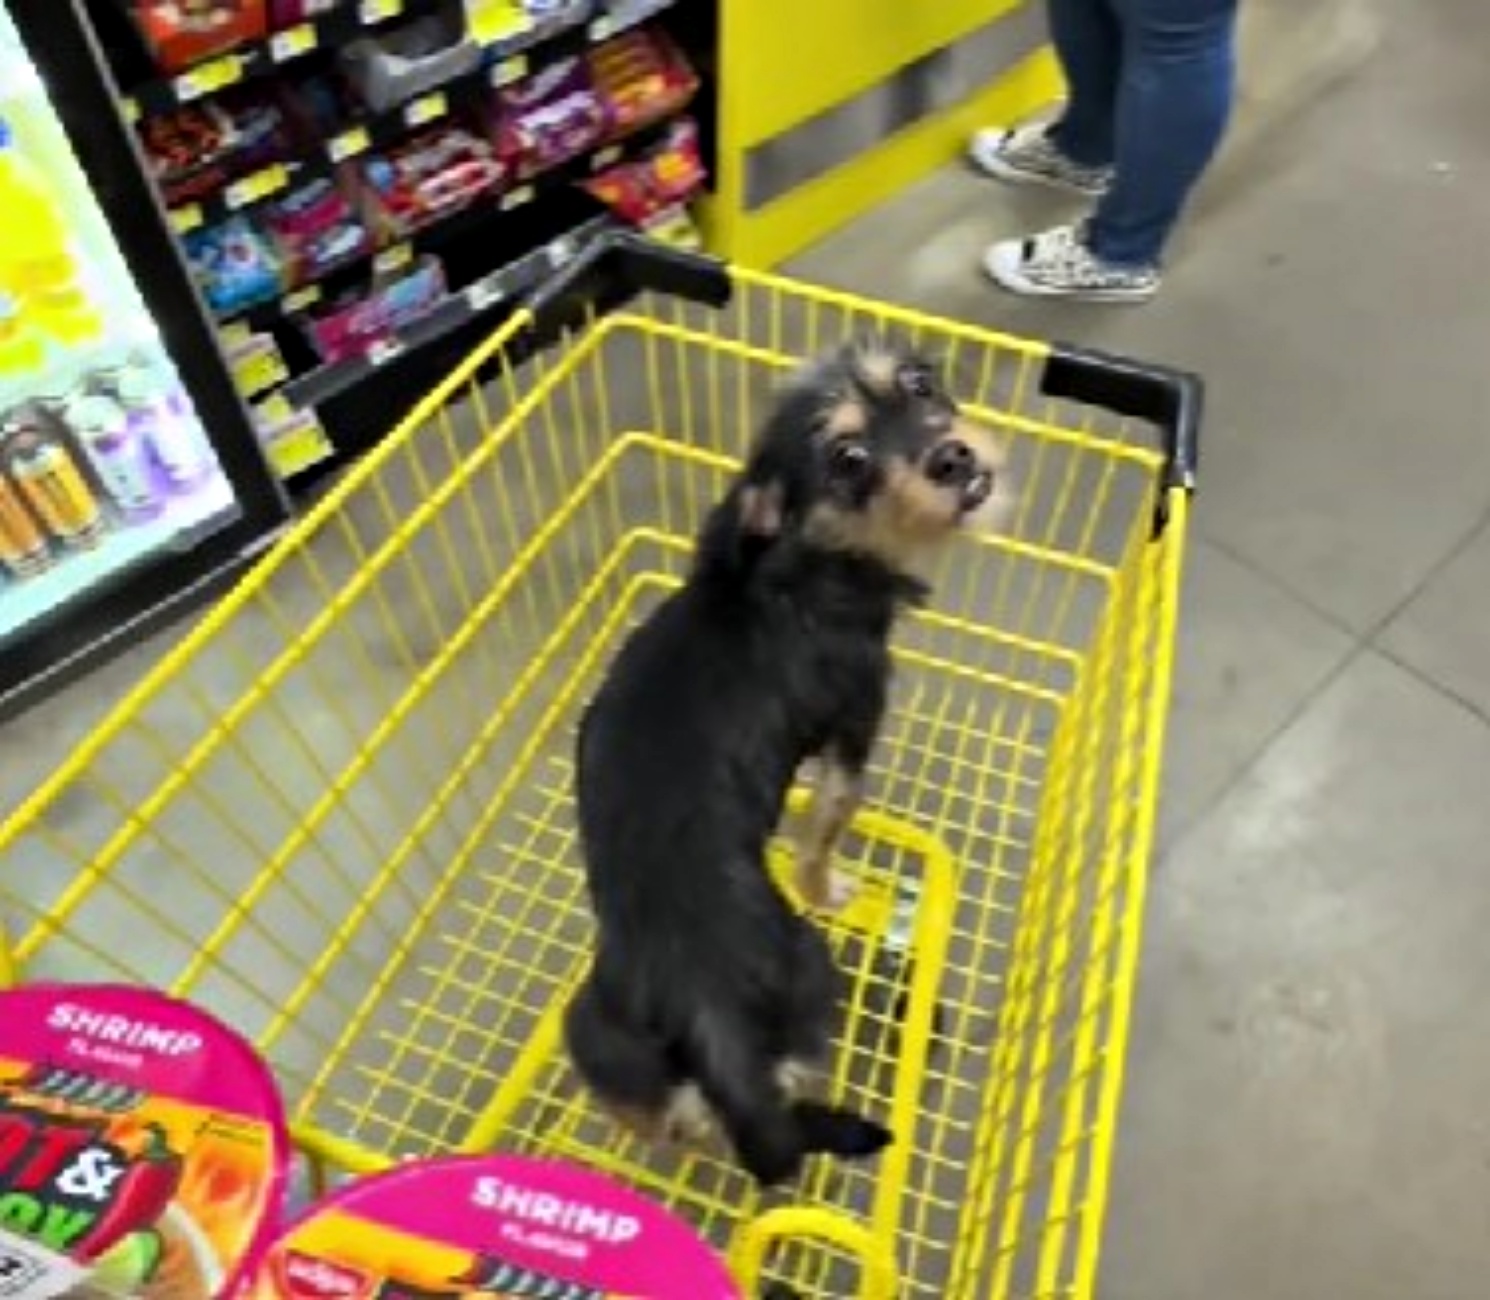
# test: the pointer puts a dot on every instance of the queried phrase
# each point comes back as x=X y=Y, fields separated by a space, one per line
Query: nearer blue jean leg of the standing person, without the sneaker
x=1173 y=104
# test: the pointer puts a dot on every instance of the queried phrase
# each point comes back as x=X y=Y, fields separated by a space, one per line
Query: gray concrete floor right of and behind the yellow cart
x=1306 y=1095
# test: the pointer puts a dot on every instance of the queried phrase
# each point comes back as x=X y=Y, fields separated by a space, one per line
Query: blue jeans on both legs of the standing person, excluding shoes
x=1151 y=90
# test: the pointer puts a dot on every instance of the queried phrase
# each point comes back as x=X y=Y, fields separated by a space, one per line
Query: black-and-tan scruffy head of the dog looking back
x=868 y=452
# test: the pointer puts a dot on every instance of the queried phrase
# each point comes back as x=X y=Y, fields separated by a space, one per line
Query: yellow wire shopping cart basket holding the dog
x=340 y=812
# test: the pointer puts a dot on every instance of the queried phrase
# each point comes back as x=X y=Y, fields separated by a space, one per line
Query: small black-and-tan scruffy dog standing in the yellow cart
x=710 y=997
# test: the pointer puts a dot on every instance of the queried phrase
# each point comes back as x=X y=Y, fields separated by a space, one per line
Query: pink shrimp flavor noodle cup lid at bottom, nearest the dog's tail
x=492 y=1226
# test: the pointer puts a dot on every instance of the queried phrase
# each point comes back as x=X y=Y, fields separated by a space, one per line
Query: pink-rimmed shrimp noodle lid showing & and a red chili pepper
x=142 y=1146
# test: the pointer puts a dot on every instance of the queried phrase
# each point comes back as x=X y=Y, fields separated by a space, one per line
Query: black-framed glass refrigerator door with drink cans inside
x=129 y=470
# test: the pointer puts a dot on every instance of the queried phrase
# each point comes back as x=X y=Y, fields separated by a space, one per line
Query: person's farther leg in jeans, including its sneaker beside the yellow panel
x=1077 y=153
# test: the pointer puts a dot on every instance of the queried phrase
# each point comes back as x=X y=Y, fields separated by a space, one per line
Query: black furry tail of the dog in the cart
x=771 y=1135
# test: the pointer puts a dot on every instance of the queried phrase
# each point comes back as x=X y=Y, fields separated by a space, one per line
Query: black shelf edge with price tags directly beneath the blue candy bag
x=433 y=238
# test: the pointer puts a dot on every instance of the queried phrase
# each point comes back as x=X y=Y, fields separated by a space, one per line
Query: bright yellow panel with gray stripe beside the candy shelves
x=831 y=107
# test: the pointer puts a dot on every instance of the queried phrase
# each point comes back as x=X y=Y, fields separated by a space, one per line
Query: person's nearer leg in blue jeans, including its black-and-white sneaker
x=1175 y=98
